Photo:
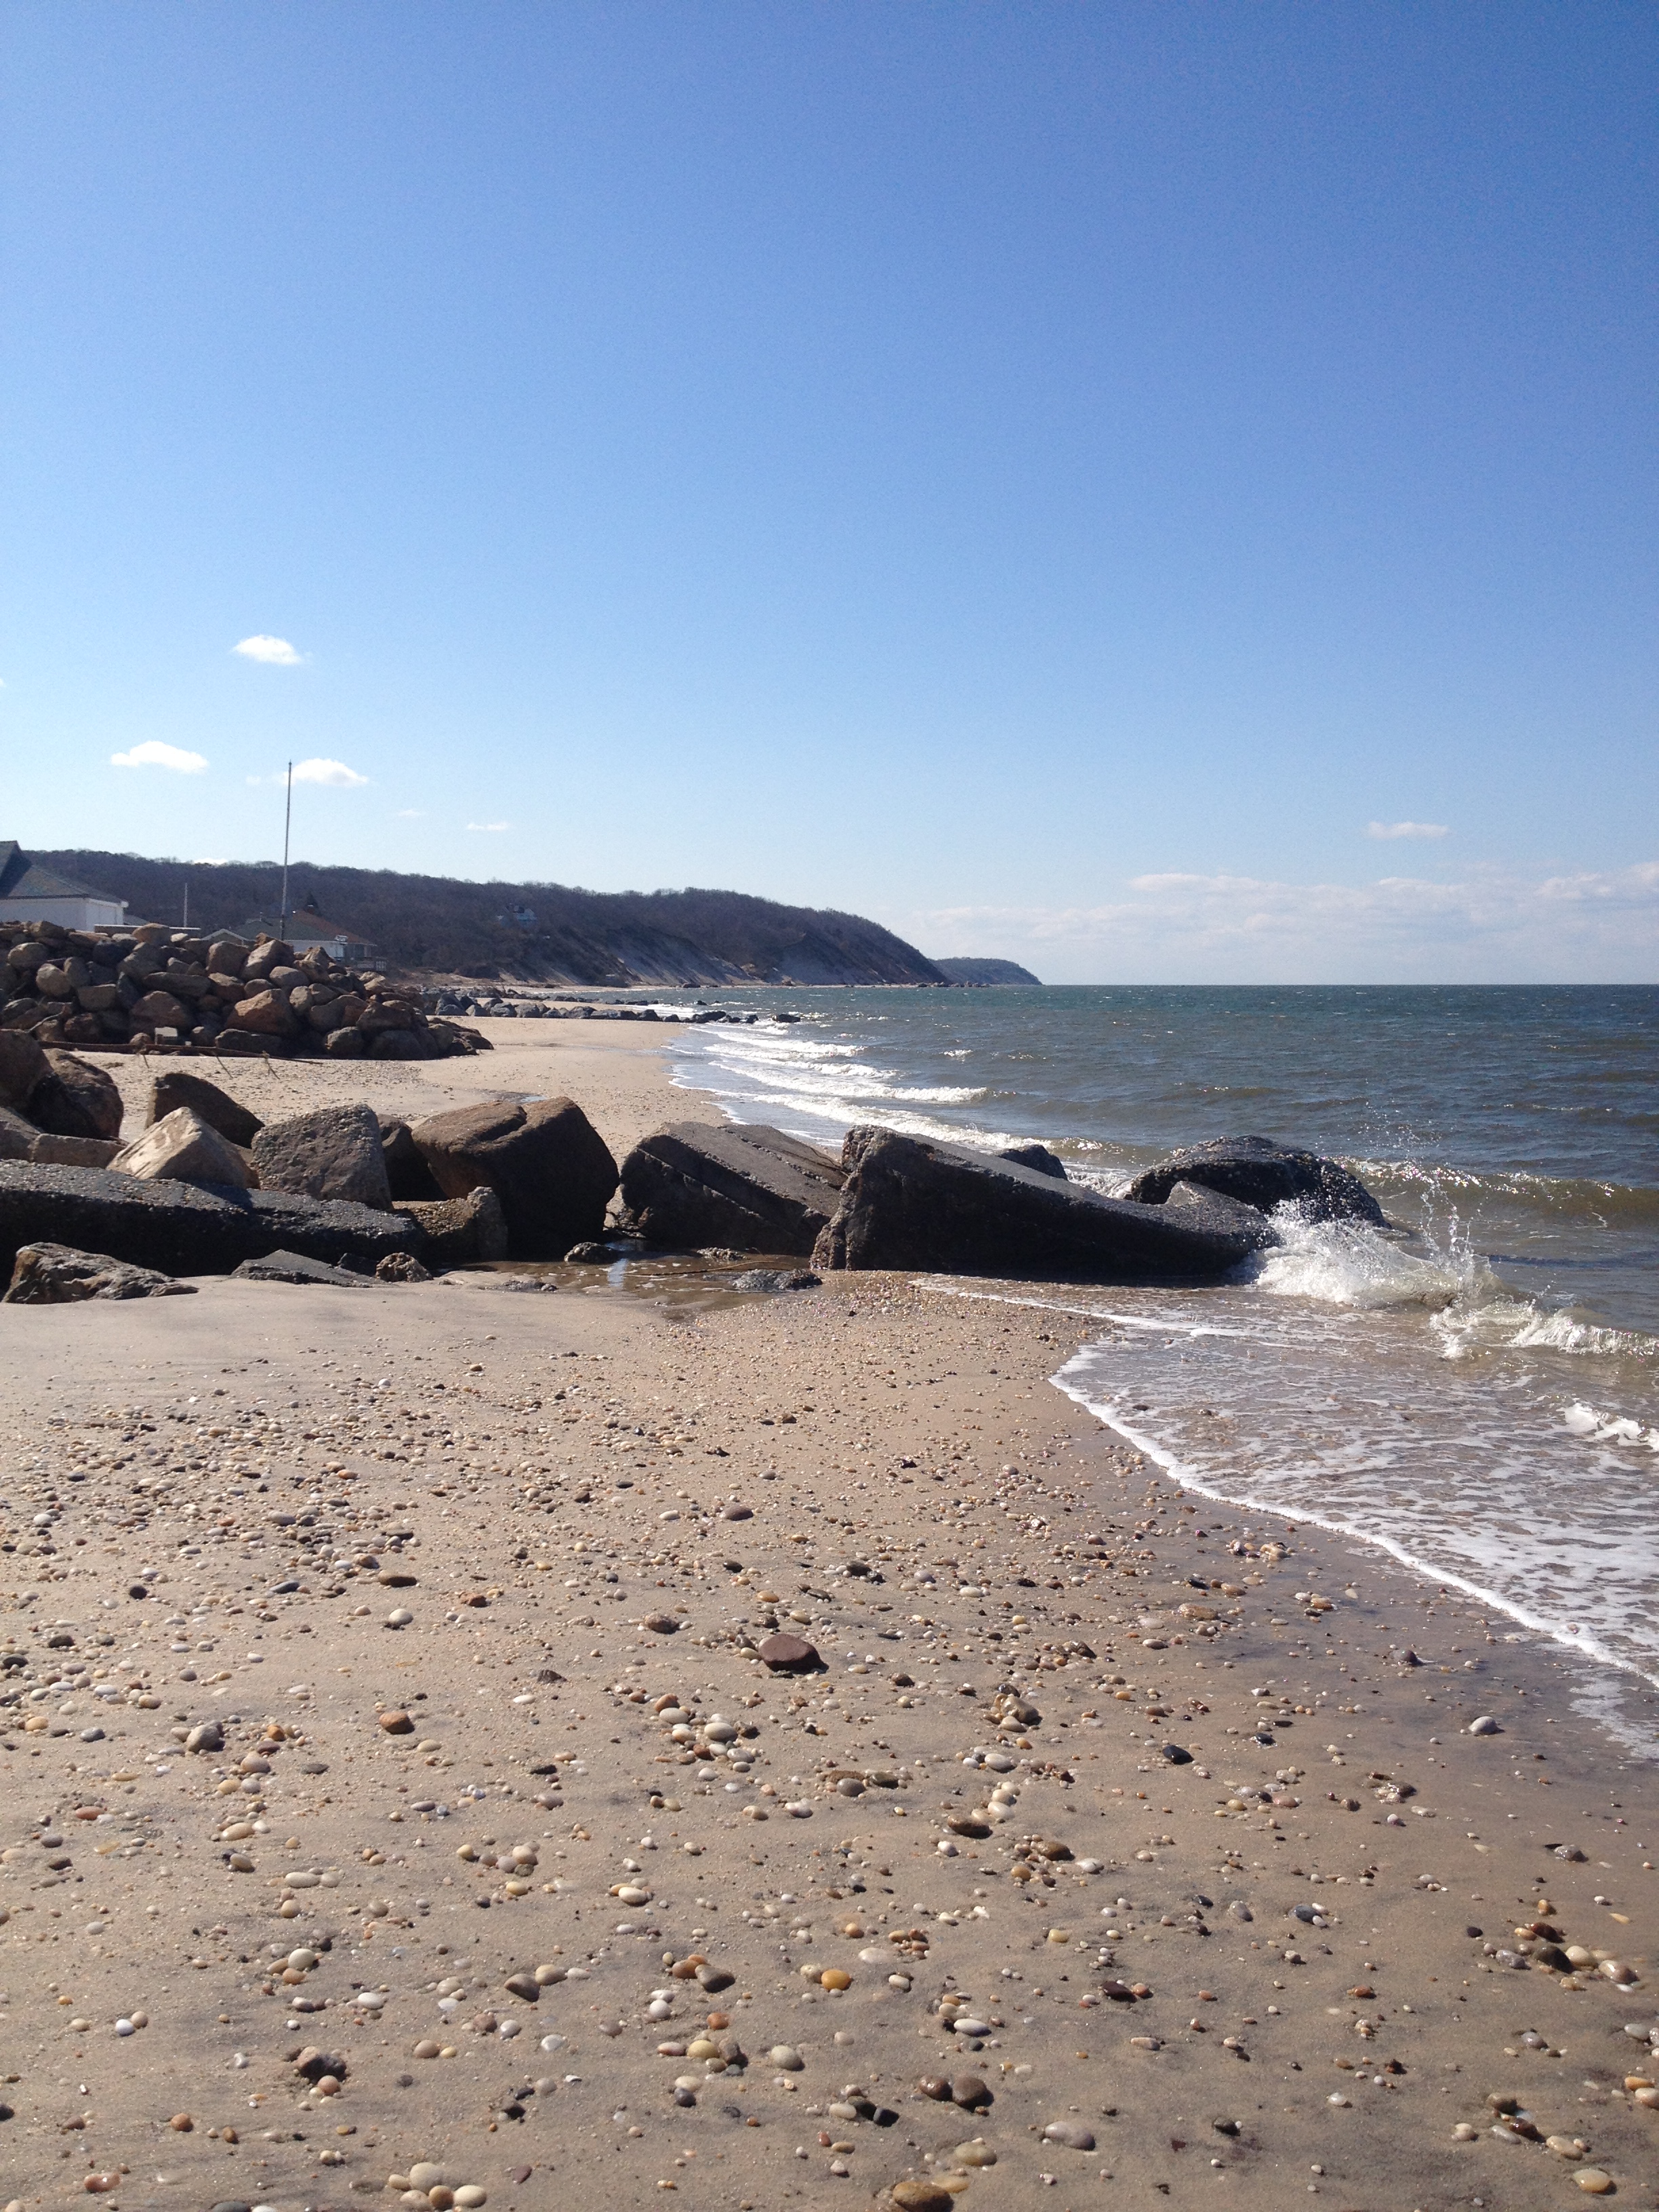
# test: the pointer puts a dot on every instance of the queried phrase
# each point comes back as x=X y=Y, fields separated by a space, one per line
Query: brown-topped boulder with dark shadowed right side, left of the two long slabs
x=545 y=1162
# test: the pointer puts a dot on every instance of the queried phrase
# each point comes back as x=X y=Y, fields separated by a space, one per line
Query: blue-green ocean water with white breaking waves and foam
x=1474 y=1390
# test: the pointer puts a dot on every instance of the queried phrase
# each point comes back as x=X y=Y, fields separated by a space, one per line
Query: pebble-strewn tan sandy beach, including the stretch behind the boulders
x=397 y=1804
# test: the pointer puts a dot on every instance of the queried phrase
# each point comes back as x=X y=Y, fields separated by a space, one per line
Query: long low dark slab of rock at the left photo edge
x=185 y=1229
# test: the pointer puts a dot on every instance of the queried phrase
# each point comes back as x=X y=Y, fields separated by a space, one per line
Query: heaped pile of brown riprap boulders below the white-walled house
x=165 y=990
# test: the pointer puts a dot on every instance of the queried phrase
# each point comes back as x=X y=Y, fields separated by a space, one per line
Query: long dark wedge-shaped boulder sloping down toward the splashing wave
x=917 y=1204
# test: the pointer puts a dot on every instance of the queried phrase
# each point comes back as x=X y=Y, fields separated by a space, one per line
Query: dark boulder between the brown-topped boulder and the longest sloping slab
x=749 y=1189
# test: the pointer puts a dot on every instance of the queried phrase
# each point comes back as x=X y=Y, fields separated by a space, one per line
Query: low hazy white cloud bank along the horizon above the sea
x=1496 y=926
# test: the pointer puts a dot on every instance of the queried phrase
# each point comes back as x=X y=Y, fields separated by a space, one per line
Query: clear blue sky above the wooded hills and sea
x=1056 y=479
